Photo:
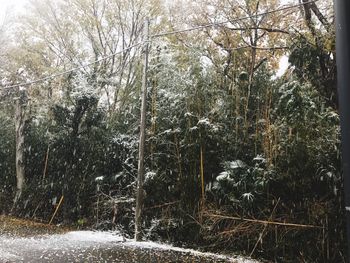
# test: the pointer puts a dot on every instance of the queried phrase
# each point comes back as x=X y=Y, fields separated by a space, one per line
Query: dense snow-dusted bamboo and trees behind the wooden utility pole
x=267 y=146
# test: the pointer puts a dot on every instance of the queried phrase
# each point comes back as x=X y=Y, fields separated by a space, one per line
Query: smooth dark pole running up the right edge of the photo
x=342 y=11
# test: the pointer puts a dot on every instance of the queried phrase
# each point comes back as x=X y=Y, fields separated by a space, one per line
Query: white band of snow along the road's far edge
x=13 y=248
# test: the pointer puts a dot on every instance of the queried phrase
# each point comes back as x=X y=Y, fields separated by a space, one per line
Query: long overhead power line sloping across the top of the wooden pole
x=152 y=37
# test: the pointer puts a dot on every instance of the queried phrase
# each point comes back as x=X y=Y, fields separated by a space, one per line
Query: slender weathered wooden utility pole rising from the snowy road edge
x=141 y=169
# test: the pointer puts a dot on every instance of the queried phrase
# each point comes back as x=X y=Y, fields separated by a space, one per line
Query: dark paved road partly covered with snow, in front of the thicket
x=88 y=246
